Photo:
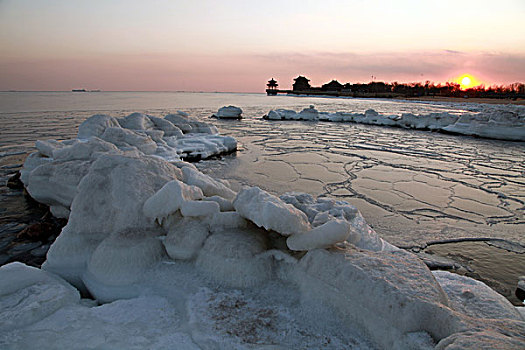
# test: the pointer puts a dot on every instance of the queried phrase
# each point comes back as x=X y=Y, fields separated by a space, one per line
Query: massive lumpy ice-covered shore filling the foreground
x=179 y=259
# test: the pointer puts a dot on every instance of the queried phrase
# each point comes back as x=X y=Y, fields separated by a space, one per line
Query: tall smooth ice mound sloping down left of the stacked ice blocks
x=110 y=199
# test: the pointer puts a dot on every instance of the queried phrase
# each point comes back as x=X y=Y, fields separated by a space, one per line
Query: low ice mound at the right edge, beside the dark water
x=475 y=298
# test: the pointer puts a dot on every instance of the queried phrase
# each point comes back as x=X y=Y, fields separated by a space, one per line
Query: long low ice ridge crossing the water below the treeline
x=502 y=122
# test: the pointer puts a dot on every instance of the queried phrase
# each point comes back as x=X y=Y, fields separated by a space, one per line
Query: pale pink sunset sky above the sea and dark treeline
x=234 y=45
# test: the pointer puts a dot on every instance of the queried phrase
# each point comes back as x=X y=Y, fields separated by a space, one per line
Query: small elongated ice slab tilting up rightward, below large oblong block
x=323 y=236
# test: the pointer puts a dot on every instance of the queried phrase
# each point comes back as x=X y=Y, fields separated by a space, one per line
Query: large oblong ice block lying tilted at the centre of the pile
x=268 y=211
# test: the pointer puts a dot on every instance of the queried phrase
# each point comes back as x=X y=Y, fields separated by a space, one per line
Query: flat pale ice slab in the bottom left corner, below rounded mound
x=149 y=322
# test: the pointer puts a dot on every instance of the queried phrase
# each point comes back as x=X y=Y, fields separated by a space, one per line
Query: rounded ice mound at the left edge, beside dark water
x=28 y=294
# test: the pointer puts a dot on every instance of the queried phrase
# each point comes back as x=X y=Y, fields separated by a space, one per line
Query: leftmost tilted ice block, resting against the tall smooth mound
x=169 y=199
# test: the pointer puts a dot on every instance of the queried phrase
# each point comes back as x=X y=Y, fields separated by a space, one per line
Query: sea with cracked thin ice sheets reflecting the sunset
x=456 y=197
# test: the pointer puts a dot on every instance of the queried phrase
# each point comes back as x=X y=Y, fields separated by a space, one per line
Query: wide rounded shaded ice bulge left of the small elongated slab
x=232 y=257
